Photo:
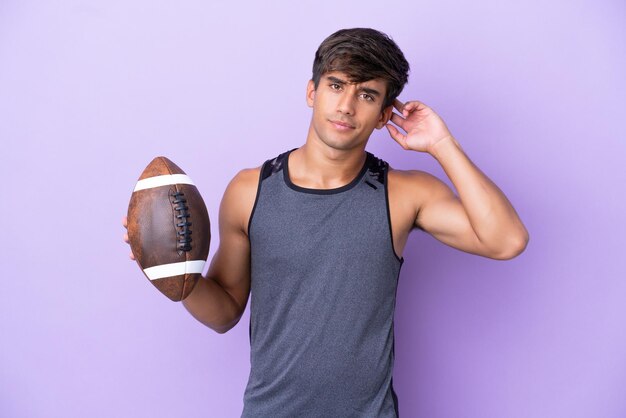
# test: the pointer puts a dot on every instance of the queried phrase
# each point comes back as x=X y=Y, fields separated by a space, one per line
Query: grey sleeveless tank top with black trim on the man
x=324 y=275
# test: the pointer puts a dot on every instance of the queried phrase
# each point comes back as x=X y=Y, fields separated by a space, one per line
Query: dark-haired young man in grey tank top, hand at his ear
x=315 y=237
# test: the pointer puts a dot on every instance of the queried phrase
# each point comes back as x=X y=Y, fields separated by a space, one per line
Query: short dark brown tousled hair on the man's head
x=363 y=54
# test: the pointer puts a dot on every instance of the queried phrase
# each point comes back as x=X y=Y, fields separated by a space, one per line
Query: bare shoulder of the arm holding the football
x=239 y=197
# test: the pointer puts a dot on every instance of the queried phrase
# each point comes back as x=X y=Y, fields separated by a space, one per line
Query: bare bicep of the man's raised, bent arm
x=442 y=215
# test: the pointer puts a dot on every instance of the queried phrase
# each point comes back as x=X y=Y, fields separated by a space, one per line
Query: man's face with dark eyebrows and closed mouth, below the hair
x=345 y=113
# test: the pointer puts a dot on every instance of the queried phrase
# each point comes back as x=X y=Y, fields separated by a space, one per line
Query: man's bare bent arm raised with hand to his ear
x=481 y=220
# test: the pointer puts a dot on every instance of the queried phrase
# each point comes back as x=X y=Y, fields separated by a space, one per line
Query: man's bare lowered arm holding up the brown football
x=219 y=299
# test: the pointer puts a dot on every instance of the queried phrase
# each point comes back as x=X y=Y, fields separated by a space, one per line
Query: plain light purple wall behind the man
x=90 y=92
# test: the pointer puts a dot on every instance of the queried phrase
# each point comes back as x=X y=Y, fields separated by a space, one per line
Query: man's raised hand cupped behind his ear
x=423 y=127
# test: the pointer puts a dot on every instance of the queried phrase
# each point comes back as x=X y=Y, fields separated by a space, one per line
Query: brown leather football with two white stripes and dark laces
x=169 y=228
